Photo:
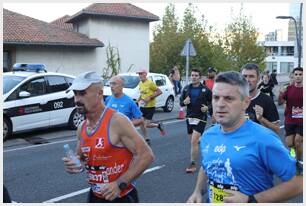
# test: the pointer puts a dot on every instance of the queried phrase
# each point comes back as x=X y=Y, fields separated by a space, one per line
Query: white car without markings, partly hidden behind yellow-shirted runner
x=131 y=88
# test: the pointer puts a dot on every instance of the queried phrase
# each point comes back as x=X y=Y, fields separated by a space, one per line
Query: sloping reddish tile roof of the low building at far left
x=19 y=29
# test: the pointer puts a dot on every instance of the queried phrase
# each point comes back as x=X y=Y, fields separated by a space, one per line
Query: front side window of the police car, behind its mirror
x=35 y=87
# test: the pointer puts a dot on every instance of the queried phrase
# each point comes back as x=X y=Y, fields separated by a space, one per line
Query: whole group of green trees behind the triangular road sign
x=237 y=47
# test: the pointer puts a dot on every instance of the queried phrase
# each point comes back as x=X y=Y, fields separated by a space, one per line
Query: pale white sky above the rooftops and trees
x=217 y=14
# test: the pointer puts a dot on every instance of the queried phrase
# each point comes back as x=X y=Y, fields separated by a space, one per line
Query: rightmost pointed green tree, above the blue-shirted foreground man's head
x=241 y=43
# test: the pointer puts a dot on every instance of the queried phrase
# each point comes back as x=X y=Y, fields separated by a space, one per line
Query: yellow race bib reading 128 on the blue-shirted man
x=216 y=192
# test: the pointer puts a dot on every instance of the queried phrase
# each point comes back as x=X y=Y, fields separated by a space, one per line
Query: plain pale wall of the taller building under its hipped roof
x=130 y=37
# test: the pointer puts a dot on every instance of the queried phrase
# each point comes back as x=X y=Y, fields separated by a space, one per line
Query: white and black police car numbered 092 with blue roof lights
x=34 y=98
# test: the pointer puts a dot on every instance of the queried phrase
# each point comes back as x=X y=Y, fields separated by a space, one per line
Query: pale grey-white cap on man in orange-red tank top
x=84 y=80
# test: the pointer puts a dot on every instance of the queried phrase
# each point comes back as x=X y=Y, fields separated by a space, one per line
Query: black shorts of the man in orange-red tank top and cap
x=131 y=197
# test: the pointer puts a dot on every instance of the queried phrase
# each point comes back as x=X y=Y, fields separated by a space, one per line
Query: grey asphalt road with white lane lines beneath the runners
x=34 y=173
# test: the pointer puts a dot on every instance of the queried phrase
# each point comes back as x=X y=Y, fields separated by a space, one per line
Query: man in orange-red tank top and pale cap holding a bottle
x=113 y=155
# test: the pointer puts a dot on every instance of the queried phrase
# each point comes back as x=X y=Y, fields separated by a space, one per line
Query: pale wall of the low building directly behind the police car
x=64 y=60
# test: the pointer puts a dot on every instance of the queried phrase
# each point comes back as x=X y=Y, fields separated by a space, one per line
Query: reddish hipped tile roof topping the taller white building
x=115 y=10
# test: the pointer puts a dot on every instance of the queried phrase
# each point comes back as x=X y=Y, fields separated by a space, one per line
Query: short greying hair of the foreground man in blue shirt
x=236 y=79
